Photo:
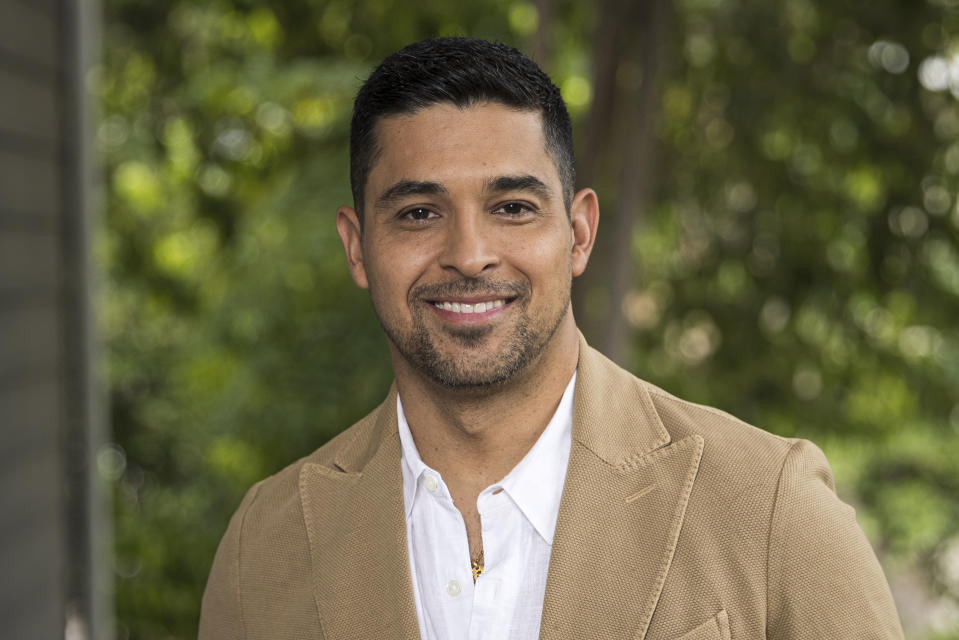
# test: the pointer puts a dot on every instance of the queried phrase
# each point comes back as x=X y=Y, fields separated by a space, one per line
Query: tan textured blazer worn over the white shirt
x=677 y=522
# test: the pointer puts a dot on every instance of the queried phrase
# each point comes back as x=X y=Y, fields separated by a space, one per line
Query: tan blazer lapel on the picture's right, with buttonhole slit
x=622 y=508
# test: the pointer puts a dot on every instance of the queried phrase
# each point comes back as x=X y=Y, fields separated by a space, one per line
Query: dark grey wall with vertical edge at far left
x=46 y=481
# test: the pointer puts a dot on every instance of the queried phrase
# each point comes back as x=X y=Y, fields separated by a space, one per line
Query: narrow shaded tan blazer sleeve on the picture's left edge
x=221 y=613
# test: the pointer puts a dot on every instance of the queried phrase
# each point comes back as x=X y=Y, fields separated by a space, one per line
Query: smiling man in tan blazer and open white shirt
x=515 y=483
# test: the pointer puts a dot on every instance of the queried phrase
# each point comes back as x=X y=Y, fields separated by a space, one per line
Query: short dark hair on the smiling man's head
x=462 y=72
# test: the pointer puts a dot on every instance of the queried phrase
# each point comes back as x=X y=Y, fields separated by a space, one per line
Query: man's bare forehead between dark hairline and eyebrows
x=446 y=144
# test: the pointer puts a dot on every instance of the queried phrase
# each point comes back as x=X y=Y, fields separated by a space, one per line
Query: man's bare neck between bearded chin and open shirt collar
x=476 y=436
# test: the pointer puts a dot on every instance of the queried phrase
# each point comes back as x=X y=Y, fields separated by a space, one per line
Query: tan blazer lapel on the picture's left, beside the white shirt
x=361 y=575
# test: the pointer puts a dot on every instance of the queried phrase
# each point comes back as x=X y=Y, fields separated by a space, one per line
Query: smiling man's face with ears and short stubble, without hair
x=467 y=249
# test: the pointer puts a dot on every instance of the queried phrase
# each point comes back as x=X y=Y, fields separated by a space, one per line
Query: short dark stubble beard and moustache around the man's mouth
x=465 y=366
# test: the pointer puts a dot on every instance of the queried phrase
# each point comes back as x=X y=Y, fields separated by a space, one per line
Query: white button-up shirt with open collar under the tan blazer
x=506 y=602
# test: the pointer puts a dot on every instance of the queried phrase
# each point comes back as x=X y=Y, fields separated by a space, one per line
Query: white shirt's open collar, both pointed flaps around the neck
x=535 y=484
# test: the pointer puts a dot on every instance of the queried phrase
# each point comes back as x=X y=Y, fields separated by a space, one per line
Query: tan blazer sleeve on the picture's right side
x=823 y=579
